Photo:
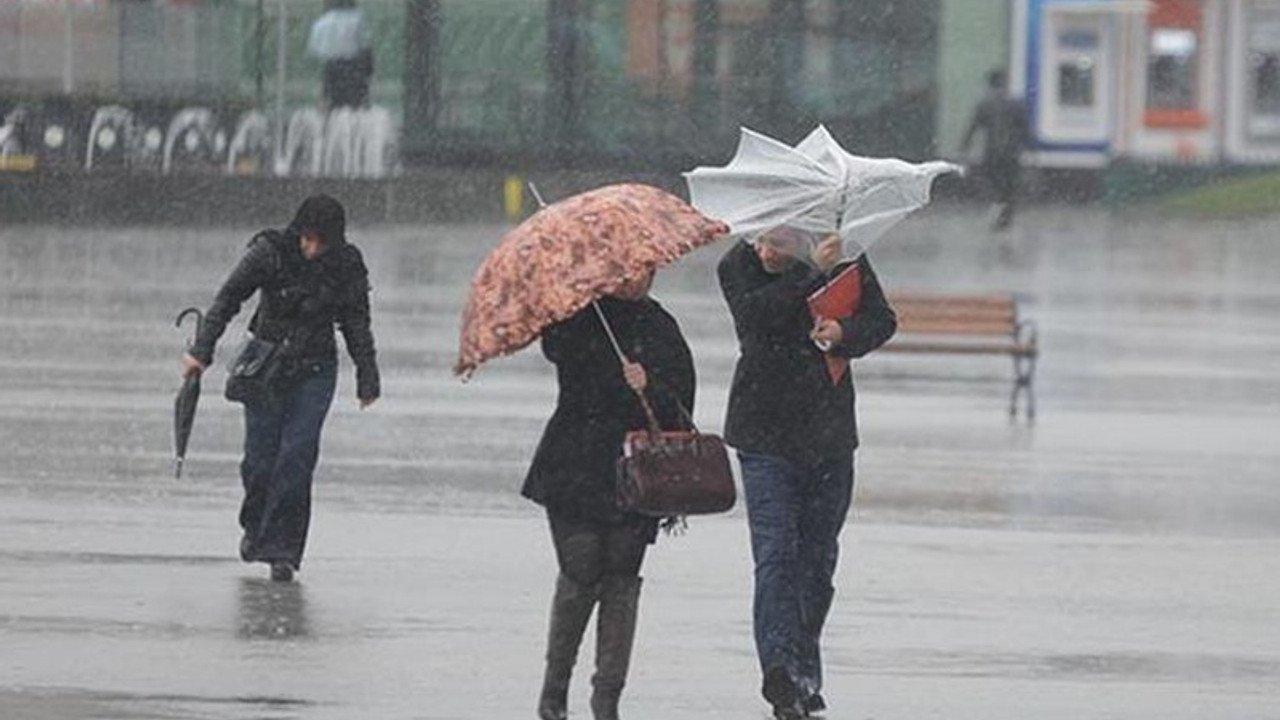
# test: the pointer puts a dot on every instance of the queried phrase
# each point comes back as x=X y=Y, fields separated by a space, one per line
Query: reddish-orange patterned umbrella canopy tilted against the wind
x=569 y=254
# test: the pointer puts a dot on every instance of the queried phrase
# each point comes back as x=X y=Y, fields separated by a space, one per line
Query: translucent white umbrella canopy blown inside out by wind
x=817 y=188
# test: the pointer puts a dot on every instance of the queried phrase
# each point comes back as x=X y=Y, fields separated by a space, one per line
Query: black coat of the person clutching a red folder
x=783 y=400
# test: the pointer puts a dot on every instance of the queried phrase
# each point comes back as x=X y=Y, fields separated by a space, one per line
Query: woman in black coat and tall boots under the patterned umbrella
x=600 y=548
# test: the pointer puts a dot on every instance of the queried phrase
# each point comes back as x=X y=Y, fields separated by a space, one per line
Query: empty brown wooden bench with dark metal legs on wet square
x=970 y=325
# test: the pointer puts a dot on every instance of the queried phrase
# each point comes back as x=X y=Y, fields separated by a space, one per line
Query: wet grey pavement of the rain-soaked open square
x=1118 y=559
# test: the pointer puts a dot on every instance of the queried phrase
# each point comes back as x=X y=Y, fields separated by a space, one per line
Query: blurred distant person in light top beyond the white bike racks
x=342 y=40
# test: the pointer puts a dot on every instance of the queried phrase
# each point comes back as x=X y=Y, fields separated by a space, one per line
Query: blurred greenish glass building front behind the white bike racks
x=632 y=83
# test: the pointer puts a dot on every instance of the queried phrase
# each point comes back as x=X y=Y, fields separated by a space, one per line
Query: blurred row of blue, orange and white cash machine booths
x=1155 y=81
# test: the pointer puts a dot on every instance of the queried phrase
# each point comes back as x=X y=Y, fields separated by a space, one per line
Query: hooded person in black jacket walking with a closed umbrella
x=309 y=280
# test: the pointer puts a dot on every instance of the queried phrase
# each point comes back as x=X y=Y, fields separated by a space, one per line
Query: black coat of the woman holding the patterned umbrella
x=574 y=471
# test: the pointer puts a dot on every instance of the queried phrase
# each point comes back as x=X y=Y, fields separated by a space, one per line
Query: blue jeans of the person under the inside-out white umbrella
x=796 y=514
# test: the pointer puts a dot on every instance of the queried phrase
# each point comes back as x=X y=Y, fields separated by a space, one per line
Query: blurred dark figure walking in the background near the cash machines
x=1003 y=121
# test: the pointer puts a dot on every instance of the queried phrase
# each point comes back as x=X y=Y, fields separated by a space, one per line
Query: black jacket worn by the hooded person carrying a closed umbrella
x=301 y=302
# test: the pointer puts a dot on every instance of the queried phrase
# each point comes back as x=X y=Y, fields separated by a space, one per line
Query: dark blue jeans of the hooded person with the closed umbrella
x=282 y=445
